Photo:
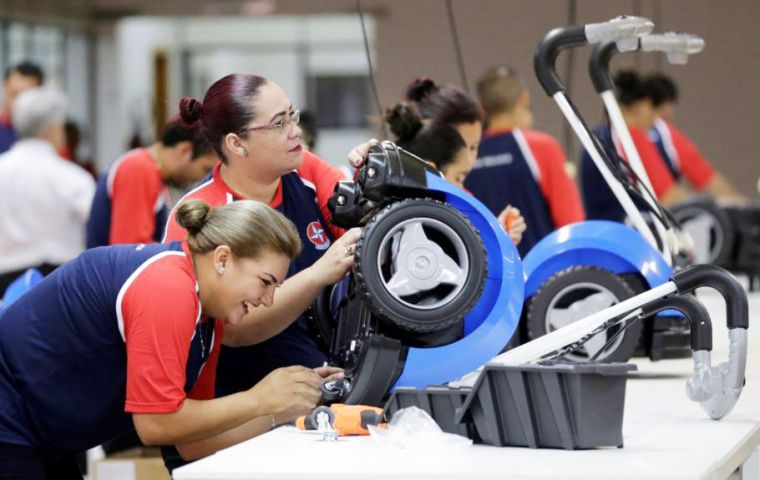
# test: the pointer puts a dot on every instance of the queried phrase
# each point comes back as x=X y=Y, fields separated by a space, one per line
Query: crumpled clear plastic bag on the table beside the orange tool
x=413 y=429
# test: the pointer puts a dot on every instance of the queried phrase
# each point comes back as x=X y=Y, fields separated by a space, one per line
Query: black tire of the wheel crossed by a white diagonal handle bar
x=536 y=317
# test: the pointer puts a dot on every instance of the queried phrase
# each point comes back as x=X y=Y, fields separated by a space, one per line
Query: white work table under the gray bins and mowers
x=665 y=434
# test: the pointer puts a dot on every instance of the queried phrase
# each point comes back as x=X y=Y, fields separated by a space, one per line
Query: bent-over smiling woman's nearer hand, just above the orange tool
x=288 y=393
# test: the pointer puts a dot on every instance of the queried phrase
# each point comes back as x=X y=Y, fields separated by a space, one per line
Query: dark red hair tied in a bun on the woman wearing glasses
x=228 y=107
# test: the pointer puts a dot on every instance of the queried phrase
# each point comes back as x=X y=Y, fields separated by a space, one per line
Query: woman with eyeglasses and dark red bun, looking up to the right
x=254 y=129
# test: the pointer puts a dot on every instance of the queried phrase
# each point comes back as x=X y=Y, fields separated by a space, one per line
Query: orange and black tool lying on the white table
x=344 y=419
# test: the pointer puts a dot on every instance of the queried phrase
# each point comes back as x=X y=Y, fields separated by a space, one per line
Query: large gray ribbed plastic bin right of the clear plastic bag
x=570 y=406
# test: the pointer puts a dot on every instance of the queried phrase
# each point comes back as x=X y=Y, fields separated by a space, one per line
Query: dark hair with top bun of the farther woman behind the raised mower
x=443 y=103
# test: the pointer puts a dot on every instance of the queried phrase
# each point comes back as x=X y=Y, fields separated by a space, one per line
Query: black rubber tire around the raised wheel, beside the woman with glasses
x=368 y=276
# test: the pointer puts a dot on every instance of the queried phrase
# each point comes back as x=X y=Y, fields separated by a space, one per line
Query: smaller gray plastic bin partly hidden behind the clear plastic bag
x=439 y=402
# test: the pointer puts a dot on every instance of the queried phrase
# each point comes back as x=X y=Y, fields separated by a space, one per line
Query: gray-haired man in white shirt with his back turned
x=44 y=199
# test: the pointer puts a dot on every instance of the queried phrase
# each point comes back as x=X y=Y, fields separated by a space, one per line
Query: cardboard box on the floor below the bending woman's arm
x=136 y=464
